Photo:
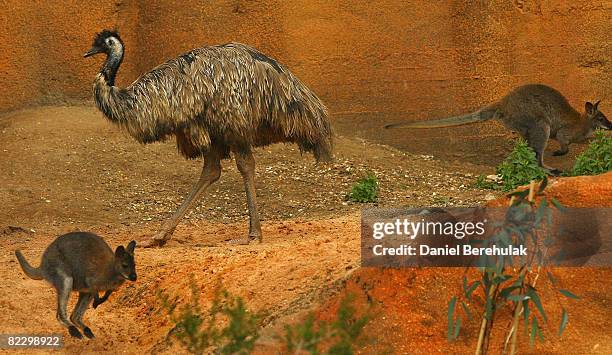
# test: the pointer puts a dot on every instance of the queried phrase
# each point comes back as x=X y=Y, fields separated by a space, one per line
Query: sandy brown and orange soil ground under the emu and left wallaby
x=65 y=169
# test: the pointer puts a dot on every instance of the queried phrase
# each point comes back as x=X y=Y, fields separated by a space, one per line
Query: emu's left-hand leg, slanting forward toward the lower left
x=210 y=173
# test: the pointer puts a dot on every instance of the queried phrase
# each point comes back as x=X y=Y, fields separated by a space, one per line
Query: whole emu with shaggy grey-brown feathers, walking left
x=216 y=100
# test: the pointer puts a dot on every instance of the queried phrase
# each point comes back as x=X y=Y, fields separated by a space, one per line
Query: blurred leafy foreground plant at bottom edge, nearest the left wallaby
x=200 y=333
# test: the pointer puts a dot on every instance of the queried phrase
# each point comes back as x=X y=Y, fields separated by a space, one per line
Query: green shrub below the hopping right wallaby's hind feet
x=520 y=167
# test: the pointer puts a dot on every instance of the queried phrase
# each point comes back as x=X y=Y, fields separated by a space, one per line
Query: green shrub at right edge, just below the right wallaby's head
x=597 y=158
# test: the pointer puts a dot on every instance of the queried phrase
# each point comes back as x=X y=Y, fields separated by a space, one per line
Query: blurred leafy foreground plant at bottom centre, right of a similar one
x=340 y=336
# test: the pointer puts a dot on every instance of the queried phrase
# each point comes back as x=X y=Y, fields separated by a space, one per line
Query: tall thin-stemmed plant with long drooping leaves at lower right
x=525 y=223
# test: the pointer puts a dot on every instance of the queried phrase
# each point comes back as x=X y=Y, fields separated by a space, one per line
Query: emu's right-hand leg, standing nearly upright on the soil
x=246 y=165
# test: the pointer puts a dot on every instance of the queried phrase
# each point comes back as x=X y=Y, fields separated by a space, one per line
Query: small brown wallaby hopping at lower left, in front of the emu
x=82 y=262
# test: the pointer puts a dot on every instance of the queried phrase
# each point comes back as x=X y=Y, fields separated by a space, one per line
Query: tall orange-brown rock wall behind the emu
x=371 y=64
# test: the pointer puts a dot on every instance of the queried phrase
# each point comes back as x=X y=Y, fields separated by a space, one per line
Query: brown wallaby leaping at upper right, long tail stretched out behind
x=537 y=113
